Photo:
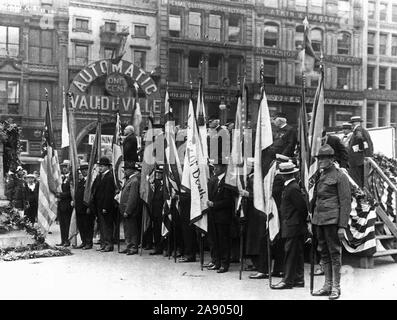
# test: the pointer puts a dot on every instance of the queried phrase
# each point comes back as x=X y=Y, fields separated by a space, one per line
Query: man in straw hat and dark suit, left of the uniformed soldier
x=293 y=214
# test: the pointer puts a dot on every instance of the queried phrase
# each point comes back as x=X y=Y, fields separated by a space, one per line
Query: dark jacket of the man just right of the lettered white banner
x=223 y=200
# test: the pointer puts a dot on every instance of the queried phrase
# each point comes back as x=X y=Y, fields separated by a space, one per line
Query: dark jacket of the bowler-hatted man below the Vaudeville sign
x=103 y=193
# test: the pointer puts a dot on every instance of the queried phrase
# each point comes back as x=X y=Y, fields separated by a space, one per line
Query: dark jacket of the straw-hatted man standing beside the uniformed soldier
x=293 y=211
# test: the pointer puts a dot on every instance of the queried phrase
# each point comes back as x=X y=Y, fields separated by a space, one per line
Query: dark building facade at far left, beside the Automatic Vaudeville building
x=33 y=49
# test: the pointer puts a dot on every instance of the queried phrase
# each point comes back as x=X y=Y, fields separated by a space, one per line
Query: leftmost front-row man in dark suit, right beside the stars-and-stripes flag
x=65 y=204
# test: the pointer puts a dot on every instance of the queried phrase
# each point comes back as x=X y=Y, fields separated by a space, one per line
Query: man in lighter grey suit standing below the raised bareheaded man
x=130 y=208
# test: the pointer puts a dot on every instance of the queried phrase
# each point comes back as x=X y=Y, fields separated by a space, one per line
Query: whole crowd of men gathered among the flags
x=330 y=207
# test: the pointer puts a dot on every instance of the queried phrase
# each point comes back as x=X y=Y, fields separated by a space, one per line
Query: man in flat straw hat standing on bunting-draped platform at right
x=360 y=146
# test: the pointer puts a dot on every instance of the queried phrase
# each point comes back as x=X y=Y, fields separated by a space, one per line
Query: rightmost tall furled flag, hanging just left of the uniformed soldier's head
x=315 y=133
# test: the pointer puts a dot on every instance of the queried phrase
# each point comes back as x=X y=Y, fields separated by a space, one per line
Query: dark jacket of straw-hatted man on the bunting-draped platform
x=362 y=140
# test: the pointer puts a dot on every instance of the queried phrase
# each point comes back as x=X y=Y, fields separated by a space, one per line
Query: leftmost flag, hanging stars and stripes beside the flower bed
x=50 y=177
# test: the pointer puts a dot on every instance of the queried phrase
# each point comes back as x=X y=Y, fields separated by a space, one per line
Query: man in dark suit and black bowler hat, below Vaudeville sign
x=103 y=190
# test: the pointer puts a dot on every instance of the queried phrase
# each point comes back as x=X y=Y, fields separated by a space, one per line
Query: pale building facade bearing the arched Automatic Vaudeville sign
x=96 y=30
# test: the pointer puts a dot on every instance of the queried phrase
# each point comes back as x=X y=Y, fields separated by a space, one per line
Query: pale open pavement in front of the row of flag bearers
x=94 y=275
